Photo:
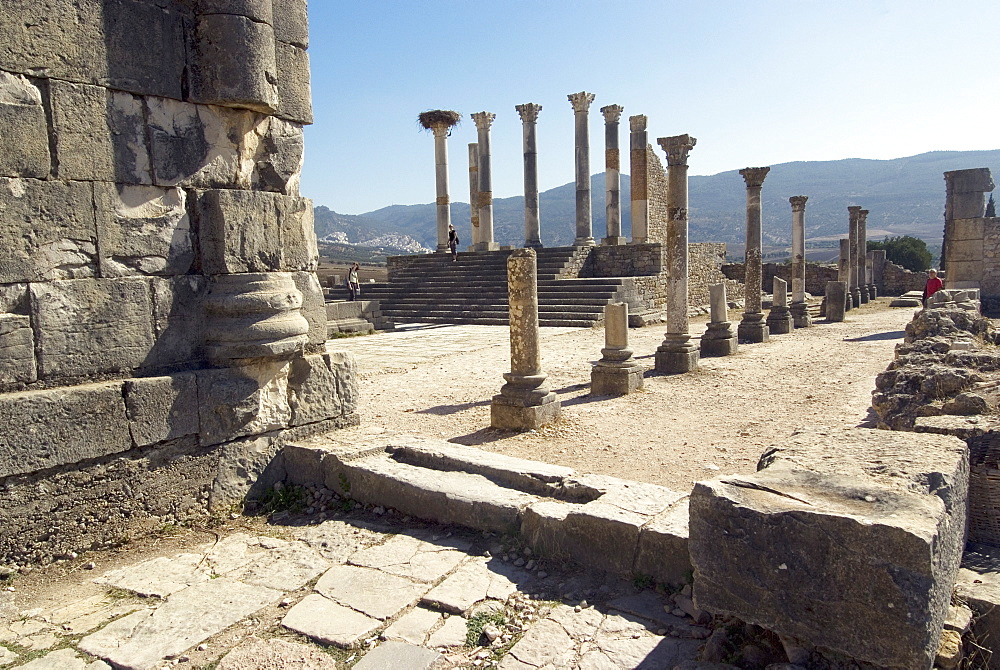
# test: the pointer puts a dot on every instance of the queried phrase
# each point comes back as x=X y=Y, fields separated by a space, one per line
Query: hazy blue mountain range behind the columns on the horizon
x=905 y=197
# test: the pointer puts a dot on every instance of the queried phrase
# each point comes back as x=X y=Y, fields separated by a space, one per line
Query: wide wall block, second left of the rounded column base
x=91 y=326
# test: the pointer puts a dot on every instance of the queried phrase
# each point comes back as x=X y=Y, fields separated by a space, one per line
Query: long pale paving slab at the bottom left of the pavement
x=142 y=639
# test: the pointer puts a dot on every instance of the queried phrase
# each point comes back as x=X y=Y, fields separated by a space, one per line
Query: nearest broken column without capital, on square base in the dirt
x=524 y=402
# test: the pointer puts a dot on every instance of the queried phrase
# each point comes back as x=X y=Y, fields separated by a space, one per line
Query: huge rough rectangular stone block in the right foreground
x=847 y=540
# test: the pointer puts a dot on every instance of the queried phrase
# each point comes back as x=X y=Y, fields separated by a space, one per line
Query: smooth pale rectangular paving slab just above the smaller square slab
x=378 y=594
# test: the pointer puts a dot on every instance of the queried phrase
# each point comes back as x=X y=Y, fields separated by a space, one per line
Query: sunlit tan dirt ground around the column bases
x=679 y=429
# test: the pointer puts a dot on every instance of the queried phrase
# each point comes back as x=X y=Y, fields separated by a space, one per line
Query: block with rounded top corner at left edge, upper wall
x=22 y=121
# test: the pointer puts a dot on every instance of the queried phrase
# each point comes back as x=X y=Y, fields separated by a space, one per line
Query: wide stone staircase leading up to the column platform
x=473 y=289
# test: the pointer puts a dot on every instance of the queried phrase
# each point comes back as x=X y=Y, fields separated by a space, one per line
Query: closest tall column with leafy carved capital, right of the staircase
x=677 y=353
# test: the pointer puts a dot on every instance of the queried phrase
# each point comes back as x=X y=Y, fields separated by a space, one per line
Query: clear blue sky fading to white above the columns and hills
x=758 y=82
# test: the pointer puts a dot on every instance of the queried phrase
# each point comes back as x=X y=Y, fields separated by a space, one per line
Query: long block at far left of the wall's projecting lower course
x=45 y=429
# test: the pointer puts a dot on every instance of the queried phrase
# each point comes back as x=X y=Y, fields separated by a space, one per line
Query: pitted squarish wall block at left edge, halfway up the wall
x=47 y=230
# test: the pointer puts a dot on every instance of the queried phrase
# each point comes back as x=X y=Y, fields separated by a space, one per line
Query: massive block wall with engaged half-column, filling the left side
x=161 y=326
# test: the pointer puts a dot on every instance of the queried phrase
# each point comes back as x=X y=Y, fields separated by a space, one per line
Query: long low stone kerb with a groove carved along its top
x=629 y=528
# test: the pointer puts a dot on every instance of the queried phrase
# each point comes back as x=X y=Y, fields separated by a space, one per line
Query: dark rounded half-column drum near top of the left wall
x=235 y=63
